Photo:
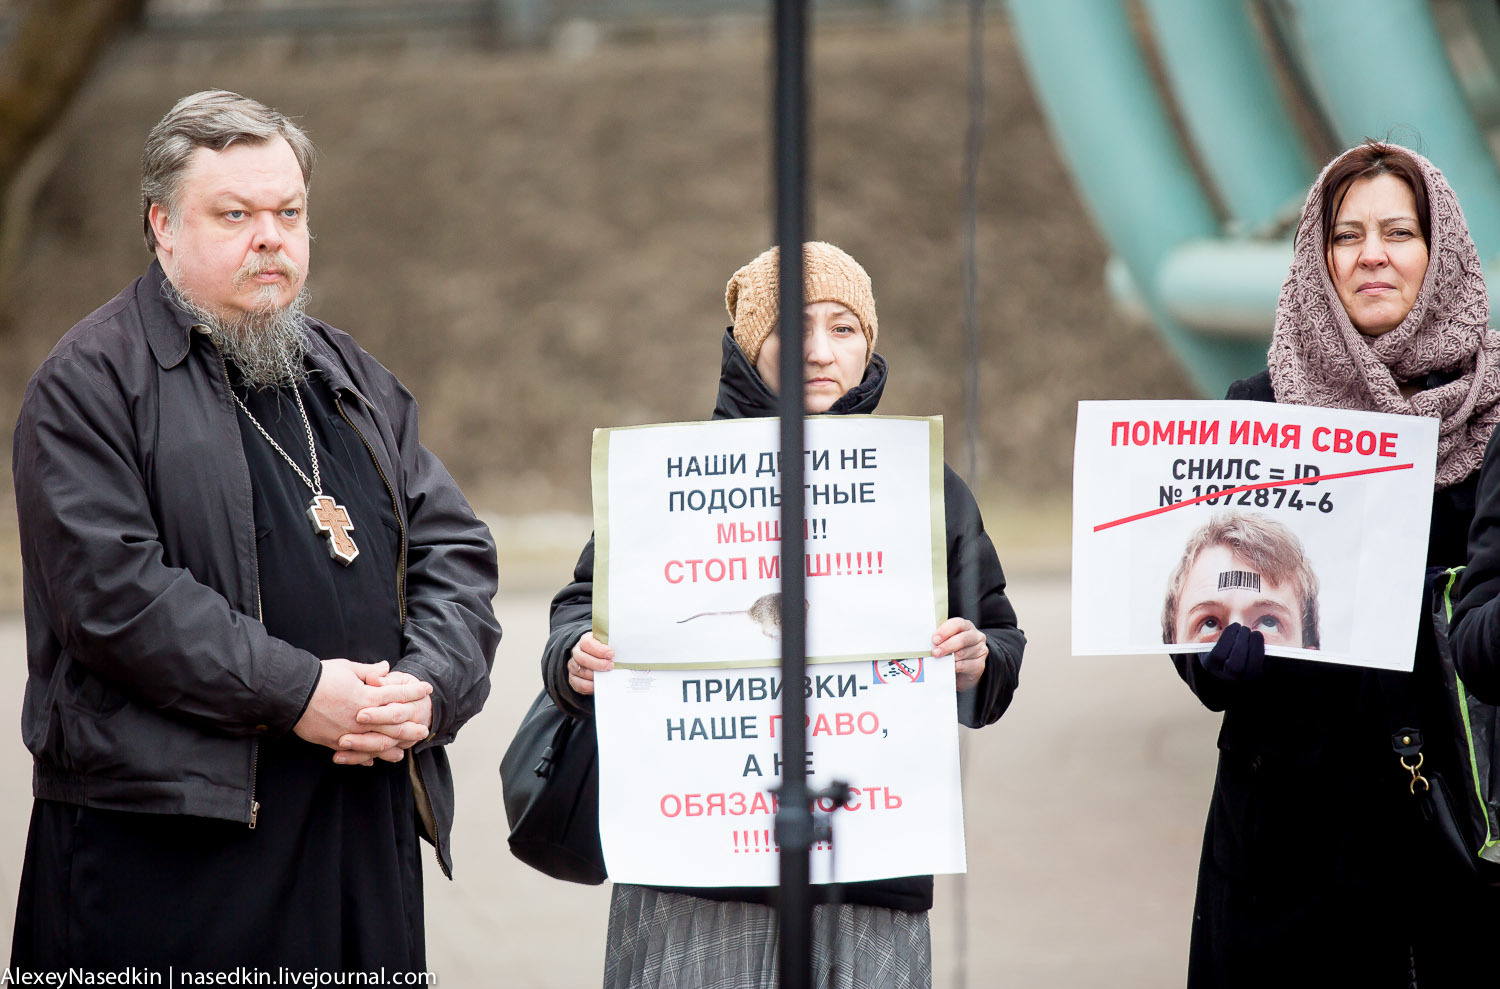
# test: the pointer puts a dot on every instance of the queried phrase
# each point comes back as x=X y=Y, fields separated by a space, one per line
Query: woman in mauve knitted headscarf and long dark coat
x=1316 y=868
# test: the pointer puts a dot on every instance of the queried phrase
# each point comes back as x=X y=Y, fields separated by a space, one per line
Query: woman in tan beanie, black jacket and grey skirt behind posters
x=727 y=939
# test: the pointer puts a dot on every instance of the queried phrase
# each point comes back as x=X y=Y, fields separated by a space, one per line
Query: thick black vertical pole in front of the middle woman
x=794 y=820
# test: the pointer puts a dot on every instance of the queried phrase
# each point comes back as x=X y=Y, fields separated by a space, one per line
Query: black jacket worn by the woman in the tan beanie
x=974 y=574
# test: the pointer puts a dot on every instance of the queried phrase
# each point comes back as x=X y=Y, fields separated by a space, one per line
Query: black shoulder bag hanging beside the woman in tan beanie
x=550 y=778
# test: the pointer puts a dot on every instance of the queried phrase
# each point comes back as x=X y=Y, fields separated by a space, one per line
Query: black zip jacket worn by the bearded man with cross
x=151 y=678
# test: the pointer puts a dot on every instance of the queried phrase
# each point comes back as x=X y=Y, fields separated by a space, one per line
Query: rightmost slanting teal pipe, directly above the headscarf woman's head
x=1382 y=71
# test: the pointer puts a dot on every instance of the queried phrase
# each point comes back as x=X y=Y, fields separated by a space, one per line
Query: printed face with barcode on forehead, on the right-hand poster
x=1223 y=589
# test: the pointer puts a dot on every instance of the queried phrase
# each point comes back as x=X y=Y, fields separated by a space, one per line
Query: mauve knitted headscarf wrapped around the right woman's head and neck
x=1318 y=358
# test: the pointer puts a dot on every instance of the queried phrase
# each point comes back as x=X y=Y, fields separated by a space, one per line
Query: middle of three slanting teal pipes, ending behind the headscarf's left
x=1231 y=110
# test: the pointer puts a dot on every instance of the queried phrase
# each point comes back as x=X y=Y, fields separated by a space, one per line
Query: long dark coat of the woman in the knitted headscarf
x=1316 y=870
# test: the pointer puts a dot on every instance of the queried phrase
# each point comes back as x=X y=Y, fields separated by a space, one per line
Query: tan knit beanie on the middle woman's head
x=829 y=275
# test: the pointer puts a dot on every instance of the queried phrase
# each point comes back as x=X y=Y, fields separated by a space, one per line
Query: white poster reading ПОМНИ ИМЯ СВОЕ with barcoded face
x=1306 y=525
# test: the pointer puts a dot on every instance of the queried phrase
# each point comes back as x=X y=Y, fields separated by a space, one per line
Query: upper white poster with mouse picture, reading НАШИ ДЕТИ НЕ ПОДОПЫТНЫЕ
x=689 y=541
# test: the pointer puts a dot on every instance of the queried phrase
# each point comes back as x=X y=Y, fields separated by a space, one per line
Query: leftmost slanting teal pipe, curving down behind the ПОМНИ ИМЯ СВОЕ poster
x=1126 y=160
